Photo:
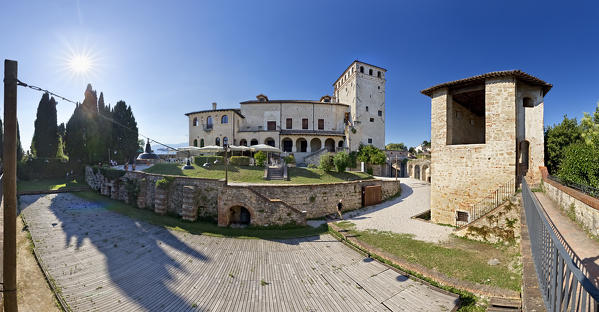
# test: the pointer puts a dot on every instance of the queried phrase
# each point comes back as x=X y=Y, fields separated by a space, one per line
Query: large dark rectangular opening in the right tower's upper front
x=466 y=116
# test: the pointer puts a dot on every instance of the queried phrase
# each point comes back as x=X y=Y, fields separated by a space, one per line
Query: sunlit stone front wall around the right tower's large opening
x=463 y=174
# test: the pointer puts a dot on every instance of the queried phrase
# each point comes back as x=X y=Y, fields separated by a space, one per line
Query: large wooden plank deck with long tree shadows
x=103 y=261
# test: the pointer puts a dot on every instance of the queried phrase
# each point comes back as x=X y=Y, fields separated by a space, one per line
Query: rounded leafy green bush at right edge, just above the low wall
x=580 y=165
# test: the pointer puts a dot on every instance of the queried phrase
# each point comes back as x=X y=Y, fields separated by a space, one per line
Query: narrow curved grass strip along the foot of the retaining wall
x=200 y=227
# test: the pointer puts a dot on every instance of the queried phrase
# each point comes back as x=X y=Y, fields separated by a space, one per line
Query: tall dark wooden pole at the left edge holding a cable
x=9 y=186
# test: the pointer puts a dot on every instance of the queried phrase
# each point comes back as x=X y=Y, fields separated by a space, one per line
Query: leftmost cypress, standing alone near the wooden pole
x=45 y=136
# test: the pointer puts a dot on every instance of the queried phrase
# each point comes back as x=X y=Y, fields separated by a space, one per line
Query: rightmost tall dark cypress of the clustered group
x=124 y=132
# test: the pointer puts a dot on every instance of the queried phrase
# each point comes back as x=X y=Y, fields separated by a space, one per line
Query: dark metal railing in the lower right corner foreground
x=562 y=284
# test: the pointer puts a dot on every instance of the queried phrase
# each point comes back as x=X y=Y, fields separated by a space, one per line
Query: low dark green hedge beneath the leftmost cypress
x=42 y=168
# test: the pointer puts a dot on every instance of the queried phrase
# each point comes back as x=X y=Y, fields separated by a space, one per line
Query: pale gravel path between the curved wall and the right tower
x=395 y=215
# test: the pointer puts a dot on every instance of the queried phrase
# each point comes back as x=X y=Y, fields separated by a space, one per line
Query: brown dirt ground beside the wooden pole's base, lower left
x=33 y=292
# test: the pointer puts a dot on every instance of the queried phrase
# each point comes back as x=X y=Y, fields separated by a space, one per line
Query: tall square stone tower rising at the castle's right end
x=362 y=87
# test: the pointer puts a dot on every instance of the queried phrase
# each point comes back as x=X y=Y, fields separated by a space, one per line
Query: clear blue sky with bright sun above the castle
x=166 y=58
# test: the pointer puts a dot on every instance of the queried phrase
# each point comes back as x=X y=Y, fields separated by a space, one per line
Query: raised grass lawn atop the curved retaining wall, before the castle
x=255 y=174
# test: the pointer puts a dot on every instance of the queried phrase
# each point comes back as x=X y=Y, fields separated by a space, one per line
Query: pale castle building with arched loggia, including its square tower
x=354 y=115
